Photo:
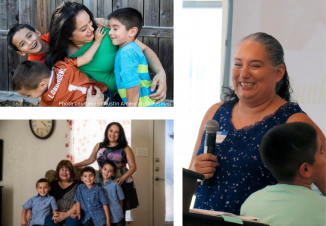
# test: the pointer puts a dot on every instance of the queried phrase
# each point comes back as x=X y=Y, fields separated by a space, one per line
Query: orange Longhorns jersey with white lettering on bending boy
x=68 y=86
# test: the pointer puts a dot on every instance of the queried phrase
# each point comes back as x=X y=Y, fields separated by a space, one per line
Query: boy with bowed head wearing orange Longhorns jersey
x=64 y=86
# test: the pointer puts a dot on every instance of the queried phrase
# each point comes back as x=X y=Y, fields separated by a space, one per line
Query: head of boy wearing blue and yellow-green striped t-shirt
x=125 y=25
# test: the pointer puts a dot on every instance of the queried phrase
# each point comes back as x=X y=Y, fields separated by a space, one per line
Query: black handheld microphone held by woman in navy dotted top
x=211 y=128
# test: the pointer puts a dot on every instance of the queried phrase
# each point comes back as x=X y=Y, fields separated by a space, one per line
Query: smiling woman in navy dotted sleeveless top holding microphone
x=259 y=101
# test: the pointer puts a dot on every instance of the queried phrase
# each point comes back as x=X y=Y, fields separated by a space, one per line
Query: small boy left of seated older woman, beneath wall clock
x=41 y=205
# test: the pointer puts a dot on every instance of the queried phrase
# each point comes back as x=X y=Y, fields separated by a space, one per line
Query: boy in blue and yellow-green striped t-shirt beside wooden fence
x=130 y=68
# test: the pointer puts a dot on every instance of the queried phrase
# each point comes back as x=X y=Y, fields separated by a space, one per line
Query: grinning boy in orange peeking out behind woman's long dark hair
x=24 y=39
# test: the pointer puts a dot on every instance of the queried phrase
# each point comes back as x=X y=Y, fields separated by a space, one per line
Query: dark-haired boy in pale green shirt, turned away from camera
x=292 y=152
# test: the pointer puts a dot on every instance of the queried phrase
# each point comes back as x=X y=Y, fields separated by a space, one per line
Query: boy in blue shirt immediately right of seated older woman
x=90 y=198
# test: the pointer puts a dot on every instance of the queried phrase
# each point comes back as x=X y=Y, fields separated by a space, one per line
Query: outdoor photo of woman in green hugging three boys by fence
x=87 y=53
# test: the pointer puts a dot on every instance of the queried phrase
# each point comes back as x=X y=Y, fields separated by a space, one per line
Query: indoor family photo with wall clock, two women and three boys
x=87 y=172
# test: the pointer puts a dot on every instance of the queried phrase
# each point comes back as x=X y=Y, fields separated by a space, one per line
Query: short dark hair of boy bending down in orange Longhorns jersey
x=29 y=74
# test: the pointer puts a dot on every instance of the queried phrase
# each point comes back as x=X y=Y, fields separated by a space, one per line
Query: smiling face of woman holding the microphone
x=253 y=75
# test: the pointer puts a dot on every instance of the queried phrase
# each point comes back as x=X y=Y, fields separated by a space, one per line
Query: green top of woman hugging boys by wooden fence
x=101 y=68
